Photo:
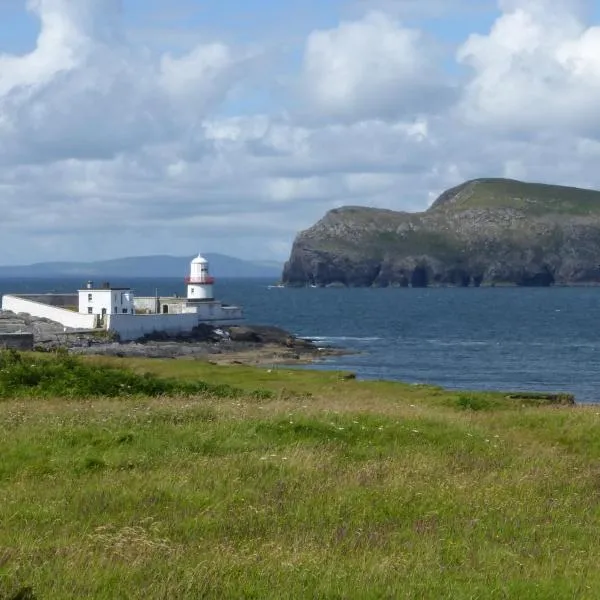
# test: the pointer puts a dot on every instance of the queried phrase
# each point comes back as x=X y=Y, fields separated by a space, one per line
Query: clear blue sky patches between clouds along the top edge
x=248 y=20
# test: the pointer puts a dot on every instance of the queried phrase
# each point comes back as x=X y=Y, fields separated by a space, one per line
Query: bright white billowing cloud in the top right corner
x=537 y=70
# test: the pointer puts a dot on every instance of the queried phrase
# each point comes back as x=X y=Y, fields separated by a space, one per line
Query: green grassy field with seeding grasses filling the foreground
x=290 y=484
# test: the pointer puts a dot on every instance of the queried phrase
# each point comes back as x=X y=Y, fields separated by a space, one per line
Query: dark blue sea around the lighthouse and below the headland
x=502 y=338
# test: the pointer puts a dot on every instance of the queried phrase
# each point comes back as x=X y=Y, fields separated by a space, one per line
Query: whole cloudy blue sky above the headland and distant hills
x=139 y=127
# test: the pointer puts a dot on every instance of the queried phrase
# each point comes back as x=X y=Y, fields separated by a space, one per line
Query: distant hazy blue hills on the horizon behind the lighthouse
x=146 y=266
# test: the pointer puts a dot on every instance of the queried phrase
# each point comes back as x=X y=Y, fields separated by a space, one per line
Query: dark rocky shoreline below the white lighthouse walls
x=233 y=344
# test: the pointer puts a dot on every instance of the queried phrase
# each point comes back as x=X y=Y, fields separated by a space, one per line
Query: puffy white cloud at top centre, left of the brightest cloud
x=371 y=68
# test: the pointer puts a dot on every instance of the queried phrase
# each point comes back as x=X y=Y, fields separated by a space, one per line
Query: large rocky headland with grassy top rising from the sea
x=483 y=232
